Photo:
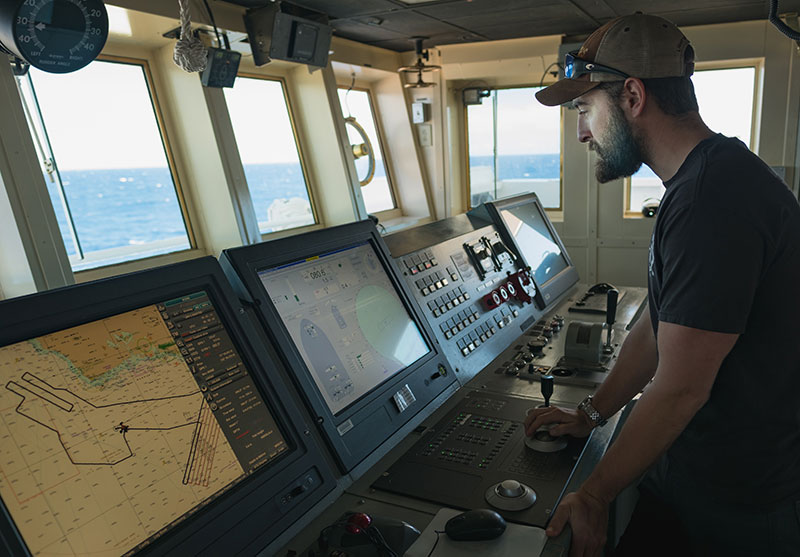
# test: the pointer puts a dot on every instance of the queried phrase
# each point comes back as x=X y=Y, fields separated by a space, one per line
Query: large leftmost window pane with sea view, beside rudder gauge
x=106 y=162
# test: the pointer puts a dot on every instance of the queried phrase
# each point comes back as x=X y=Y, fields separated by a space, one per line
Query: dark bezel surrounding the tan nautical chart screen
x=39 y=314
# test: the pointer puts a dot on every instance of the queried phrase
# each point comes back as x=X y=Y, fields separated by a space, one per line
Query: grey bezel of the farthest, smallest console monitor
x=561 y=282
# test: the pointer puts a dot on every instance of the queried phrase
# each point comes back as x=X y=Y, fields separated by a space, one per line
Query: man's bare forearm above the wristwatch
x=635 y=366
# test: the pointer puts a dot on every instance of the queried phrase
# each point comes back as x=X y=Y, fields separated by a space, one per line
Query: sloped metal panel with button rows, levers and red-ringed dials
x=470 y=286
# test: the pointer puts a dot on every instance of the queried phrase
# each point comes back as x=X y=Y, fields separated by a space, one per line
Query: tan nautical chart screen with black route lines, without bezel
x=115 y=430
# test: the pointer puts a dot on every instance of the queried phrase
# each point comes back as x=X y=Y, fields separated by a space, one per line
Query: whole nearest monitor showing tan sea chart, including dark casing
x=139 y=413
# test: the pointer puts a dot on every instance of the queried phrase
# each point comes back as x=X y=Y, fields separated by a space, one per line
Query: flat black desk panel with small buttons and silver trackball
x=477 y=456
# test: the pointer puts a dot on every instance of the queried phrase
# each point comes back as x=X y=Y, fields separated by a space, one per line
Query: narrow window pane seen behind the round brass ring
x=377 y=193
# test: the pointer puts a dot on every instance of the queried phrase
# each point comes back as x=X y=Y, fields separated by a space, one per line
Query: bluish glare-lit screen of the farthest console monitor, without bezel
x=539 y=249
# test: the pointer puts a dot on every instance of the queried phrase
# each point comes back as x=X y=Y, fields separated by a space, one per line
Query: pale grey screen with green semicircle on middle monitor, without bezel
x=347 y=321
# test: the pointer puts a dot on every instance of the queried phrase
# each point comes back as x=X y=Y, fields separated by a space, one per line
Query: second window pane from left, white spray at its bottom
x=270 y=154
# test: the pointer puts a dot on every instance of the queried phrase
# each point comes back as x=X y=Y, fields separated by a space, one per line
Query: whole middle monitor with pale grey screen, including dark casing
x=363 y=358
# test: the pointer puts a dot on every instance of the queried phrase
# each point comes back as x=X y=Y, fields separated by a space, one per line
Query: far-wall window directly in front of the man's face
x=514 y=146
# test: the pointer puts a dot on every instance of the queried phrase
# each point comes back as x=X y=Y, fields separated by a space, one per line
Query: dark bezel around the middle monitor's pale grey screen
x=246 y=262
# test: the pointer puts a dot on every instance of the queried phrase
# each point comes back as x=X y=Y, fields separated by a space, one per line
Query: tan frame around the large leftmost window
x=111 y=269
